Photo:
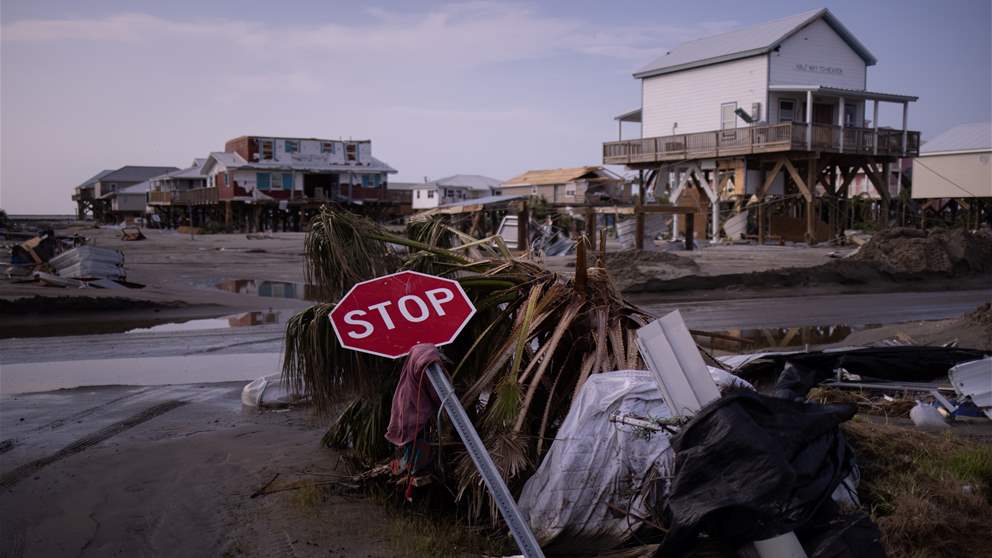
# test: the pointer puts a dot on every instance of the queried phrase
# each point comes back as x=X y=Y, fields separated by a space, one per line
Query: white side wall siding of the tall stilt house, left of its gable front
x=692 y=98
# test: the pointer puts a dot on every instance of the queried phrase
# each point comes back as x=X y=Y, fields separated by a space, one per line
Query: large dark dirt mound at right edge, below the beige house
x=946 y=251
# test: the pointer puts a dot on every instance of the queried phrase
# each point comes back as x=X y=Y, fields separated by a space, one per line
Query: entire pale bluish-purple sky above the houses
x=493 y=88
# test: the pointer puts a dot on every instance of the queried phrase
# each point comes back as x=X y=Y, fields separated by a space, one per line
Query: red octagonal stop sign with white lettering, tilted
x=388 y=315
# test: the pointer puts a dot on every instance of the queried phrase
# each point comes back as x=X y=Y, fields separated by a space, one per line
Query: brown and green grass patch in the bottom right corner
x=930 y=494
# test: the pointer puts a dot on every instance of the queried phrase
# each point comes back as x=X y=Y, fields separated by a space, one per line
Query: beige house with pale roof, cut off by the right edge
x=955 y=164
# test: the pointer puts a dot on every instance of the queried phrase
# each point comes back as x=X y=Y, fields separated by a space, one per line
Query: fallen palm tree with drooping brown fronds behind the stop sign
x=535 y=338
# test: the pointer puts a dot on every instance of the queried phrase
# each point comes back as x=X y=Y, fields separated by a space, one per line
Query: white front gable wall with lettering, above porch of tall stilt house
x=817 y=55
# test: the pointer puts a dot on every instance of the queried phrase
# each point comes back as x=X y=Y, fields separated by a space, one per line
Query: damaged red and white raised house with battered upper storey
x=264 y=182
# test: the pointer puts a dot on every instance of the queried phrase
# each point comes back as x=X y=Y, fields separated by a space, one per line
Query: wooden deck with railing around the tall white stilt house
x=761 y=139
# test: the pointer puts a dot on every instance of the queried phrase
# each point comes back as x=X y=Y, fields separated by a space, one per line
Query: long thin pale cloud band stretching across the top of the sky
x=462 y=34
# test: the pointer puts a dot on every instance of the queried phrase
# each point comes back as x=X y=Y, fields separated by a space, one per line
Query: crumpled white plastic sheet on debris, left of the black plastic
x=594 y=463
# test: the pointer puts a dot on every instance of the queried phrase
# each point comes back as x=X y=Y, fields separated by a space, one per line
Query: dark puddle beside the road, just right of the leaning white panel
x=742 y=340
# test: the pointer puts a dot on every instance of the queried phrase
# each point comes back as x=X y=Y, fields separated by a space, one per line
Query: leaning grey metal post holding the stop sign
x=477 y=451
